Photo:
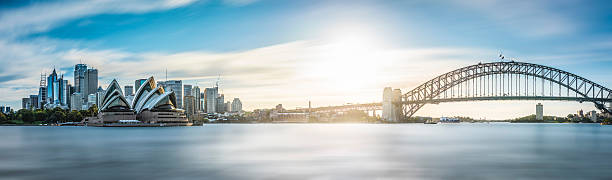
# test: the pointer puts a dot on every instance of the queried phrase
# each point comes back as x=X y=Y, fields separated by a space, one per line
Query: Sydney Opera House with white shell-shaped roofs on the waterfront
x=150 y=106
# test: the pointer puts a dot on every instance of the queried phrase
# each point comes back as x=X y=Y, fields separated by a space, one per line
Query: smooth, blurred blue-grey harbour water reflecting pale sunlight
x=309 y=151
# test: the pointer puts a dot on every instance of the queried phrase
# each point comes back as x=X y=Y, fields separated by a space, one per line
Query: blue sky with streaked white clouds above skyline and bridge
x=329 y=52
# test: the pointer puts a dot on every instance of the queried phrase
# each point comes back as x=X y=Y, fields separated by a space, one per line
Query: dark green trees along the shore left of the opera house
x=47 y=116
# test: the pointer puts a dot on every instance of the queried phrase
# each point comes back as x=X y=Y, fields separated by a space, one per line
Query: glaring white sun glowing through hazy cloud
x=350 y=59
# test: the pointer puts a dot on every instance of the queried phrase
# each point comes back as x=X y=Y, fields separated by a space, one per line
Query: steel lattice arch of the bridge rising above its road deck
x=503 y=81
